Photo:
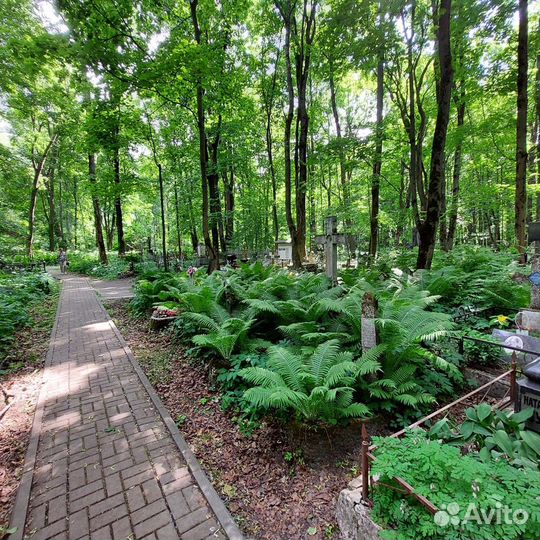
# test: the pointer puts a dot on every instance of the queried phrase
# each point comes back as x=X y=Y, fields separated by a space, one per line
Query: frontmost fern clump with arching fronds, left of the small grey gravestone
x=316 y=387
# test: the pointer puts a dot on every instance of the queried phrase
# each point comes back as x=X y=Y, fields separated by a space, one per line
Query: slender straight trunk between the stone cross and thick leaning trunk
x=377 y=163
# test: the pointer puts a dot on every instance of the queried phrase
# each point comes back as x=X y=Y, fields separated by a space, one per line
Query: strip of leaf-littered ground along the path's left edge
x=22 y=381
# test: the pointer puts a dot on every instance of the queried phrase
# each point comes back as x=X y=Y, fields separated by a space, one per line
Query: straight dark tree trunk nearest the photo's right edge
x=521 y=132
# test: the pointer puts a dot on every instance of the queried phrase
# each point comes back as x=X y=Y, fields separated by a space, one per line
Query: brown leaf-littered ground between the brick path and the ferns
x=279 y=483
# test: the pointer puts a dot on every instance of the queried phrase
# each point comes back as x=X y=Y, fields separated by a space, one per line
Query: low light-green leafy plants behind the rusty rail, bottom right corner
x=441 y=474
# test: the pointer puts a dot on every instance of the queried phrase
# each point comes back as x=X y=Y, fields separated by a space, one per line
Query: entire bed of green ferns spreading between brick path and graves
x=289 y=344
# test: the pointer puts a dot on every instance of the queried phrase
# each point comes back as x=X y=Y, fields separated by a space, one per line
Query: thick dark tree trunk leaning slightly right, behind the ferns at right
x=428 y=227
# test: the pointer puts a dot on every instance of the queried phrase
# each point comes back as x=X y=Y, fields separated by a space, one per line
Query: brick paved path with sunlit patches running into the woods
x=106 y=464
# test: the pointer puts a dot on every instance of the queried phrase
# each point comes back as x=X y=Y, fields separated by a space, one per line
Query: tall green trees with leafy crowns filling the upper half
x=162 y=125
